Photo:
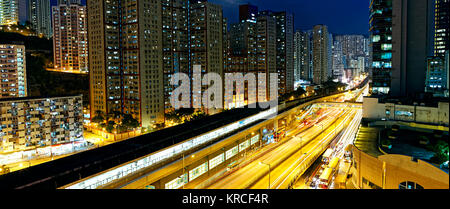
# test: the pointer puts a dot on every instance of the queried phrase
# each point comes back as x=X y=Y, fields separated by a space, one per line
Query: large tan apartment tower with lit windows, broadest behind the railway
x=126 y=58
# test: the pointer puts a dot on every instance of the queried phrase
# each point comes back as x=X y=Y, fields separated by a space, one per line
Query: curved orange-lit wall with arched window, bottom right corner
x=388 y=171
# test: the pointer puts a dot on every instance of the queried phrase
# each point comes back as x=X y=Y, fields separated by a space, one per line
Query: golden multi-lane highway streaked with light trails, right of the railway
x=300 y=149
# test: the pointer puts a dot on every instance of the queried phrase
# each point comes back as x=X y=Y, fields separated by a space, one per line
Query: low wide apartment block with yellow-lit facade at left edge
x=28 y=123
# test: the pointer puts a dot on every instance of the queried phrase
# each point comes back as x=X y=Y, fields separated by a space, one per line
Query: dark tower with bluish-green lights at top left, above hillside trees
x=40 y=17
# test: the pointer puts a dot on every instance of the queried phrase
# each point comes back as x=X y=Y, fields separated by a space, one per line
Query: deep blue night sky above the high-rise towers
x=341 y=16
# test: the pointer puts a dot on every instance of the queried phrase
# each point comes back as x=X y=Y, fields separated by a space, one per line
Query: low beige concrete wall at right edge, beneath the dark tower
x=374 y=110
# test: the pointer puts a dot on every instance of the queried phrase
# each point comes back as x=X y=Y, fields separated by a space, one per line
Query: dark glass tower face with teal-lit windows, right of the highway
x=380 y=45
